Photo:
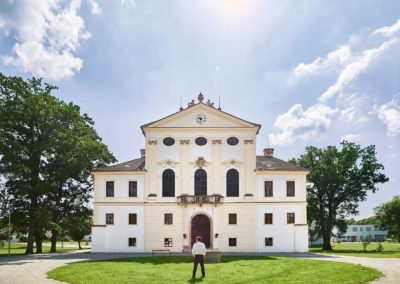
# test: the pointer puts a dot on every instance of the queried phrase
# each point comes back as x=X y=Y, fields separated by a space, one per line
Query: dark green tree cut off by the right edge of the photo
x=388 y=217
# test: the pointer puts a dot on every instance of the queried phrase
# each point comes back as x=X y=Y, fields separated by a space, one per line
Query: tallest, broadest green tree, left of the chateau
x=35 y=129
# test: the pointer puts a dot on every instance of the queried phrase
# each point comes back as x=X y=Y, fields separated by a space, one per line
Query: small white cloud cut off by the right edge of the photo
x=389 y=114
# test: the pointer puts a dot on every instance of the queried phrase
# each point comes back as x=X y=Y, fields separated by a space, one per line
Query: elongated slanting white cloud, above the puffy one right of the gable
x=331 y=61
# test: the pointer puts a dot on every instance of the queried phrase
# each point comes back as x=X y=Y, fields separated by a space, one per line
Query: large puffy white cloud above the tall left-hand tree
x=48 y=32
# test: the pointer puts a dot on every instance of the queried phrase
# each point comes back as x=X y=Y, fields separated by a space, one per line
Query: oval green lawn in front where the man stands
x=233 y=269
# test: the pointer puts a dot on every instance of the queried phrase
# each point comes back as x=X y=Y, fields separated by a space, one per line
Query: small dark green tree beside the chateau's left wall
x=80 y=225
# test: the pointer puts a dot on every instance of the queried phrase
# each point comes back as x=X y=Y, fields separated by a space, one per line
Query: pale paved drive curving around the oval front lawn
x=32 y=269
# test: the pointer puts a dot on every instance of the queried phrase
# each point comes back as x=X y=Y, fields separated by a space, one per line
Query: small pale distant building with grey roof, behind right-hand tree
x=360 y=233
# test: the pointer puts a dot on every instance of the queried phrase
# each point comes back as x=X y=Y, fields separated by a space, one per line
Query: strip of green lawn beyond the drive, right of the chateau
x=390 y=250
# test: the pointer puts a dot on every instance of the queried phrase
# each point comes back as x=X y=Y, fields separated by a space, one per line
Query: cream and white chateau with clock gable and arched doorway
x=200 y=176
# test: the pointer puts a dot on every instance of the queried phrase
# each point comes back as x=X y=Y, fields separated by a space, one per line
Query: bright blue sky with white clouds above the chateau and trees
x=310 y=72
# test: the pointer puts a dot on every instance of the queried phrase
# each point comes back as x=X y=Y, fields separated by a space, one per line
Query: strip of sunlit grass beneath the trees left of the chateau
x=19 y=248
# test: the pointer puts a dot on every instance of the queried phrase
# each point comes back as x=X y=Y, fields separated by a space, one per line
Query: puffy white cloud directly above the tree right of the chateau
x=300 y=124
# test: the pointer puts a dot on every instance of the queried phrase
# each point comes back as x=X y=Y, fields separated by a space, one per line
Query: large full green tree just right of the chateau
x=337 y=182
